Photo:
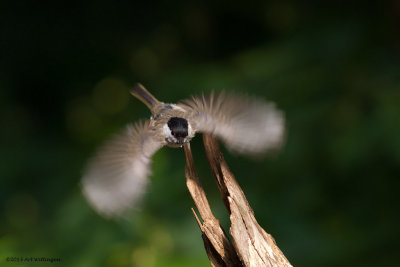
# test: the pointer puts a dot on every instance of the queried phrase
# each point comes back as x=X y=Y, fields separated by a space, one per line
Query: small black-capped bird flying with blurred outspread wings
x=117 y=176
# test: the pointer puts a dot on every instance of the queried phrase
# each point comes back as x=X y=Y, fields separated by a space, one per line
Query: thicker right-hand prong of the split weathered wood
x=254 y=246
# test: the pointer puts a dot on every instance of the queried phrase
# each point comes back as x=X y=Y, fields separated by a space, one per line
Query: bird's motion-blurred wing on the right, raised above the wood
x=246 y=124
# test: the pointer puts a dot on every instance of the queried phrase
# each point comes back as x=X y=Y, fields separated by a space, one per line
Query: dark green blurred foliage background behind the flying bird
x=330 y=197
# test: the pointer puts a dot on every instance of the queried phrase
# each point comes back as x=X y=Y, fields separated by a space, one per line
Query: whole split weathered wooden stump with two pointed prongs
x=252 y=246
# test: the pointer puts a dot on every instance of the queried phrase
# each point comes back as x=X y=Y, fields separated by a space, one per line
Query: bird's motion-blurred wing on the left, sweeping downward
x=116 y=178
